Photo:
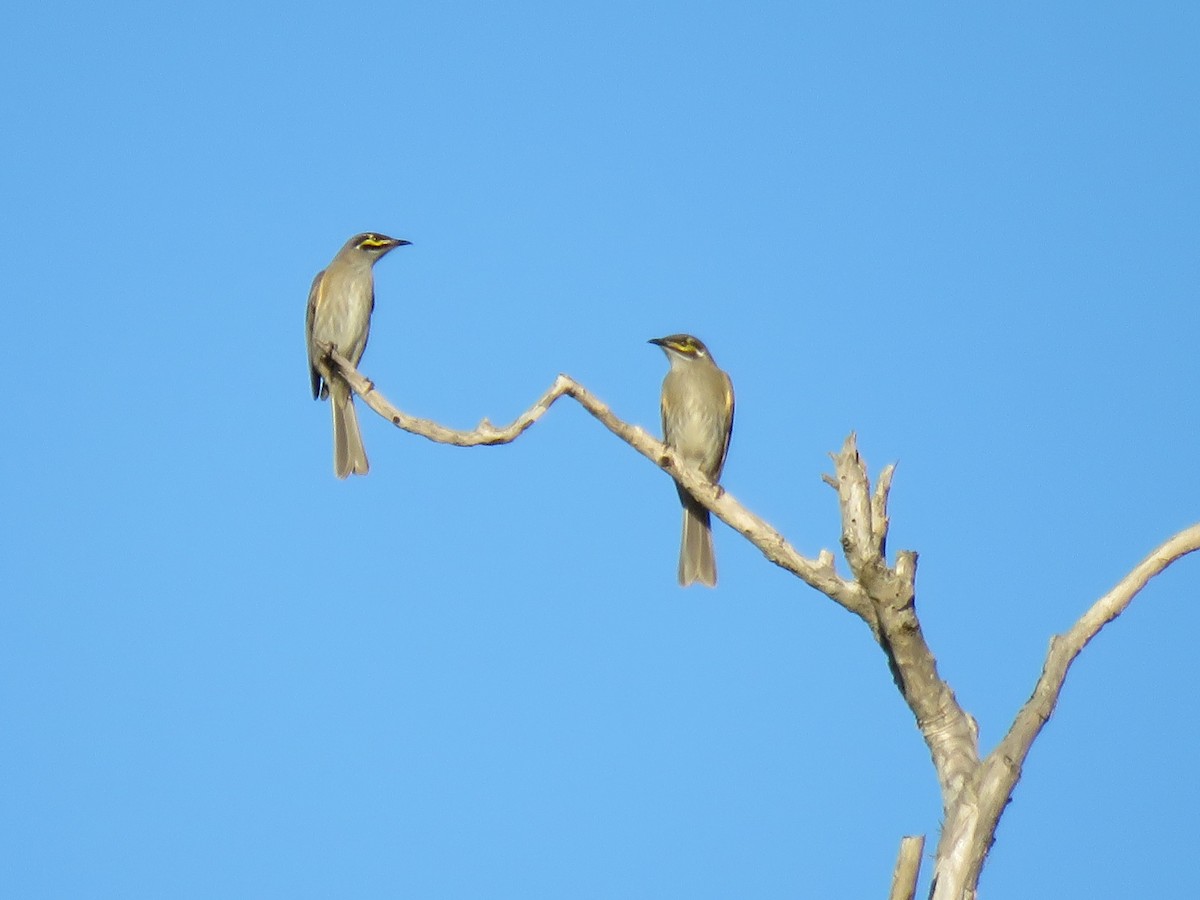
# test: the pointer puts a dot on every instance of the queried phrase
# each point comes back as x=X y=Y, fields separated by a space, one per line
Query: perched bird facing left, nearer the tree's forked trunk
x=698 y=423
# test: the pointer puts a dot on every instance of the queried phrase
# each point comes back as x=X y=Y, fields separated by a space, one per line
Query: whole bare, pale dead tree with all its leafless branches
x=975 y=793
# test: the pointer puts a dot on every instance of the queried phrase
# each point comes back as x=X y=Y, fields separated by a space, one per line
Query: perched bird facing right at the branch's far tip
x=340 y=305
